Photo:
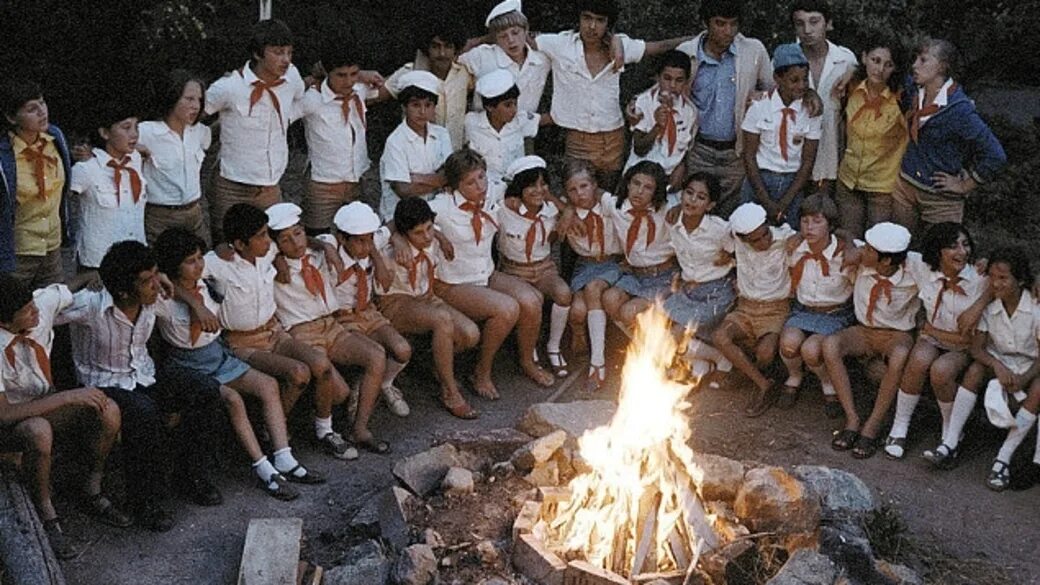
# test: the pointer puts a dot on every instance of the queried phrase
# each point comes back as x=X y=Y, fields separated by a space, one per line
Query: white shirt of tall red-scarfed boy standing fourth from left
x=253 y=140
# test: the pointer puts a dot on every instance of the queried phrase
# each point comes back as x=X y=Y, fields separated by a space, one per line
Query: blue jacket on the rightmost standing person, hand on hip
x=953 y=139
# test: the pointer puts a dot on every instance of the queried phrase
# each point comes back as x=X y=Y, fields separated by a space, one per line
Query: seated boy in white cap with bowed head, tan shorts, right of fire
x=763 y=303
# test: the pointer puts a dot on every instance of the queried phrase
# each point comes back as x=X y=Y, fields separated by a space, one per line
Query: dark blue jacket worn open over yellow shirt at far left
x=9 y=194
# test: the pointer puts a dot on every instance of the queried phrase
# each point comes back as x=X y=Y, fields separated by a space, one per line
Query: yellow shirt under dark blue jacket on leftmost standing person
x=38 y=222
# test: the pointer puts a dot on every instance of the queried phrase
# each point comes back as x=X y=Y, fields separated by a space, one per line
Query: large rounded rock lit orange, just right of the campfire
x=771 y=500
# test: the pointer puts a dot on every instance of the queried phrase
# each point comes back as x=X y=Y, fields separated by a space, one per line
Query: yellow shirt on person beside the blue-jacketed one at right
x=876 y=142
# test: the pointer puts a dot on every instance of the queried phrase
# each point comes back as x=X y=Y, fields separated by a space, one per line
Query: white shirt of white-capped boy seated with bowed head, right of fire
x=764 y=275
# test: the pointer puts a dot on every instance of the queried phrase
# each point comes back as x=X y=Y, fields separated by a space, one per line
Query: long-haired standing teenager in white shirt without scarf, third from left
x=175 y=147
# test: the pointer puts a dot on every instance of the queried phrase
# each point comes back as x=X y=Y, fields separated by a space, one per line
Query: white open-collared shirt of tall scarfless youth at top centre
x=582 y=101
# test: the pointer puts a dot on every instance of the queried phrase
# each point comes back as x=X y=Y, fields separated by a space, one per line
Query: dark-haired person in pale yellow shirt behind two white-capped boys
x=436 y=55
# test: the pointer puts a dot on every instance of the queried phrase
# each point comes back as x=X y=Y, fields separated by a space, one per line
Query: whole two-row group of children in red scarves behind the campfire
x=272 y=298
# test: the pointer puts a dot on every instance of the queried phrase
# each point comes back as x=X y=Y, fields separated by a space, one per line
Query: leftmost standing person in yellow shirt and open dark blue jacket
x=35 y=171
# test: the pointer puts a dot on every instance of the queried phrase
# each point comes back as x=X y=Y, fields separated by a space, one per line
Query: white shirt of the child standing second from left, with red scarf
x=107 y=217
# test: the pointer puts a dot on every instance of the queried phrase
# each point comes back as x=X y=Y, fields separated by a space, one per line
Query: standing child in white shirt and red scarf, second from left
x=111 y=189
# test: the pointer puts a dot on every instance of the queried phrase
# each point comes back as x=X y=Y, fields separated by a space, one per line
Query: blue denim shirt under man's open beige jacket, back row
x=715 y=94
